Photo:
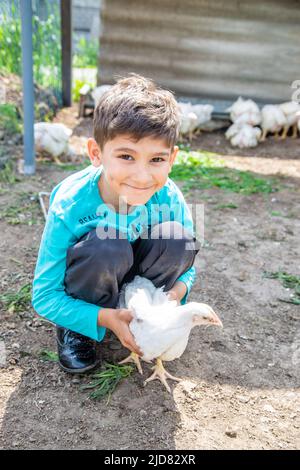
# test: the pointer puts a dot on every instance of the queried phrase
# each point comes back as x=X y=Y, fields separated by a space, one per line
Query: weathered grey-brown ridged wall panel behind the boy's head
x=201 y=48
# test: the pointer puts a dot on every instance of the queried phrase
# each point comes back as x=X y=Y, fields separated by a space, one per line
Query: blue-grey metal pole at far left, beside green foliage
x=28 y=94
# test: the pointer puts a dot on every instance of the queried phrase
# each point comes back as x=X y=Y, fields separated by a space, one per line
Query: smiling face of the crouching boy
x=132 y=171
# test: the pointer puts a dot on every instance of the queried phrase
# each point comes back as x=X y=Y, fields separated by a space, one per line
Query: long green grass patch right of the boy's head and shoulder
x=201 y=170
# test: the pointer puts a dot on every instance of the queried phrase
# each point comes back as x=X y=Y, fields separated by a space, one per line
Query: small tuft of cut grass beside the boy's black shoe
x=106 y=381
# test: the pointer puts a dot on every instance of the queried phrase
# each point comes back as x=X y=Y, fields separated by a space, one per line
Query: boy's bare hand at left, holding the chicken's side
x=117 y=320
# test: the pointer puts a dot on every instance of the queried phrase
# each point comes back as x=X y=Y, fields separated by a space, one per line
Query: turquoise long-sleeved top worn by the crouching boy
x=76 y=208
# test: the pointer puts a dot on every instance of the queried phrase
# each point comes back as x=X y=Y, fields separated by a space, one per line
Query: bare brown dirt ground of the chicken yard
x=240 y=387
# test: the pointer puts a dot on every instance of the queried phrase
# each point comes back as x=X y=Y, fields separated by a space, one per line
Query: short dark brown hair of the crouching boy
x=135 y=105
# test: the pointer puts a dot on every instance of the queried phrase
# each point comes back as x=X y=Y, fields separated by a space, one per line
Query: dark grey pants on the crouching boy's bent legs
x=97 y=268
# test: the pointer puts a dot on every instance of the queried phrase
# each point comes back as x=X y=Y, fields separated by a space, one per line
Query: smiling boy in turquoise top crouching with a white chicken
x=119 y=217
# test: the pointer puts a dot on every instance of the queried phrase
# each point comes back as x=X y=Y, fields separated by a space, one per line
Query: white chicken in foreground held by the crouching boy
x=160 y=327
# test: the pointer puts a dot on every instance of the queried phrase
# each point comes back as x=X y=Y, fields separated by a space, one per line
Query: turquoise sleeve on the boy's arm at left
x=49 y=297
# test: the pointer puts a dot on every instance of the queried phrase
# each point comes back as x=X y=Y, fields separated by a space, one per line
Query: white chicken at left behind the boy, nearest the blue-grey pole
x=52 y=139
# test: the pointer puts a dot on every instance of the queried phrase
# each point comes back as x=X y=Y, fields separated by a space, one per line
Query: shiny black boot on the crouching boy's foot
x=77 y=353
